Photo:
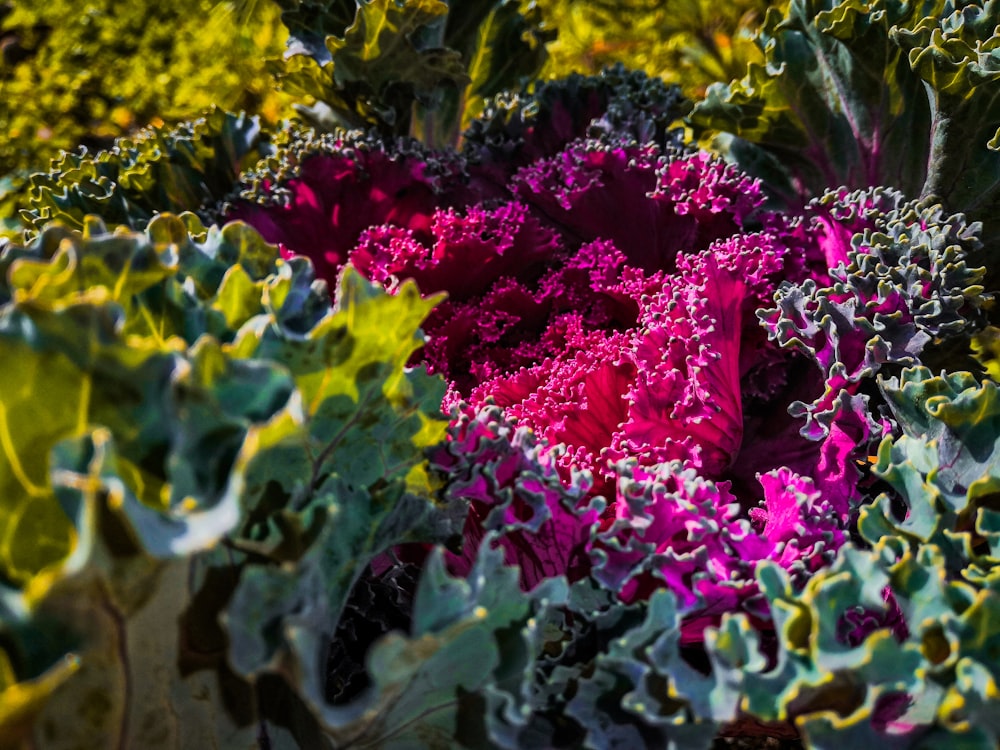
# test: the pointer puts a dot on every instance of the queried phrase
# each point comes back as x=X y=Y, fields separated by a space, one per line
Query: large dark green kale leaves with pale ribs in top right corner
x=901 y=95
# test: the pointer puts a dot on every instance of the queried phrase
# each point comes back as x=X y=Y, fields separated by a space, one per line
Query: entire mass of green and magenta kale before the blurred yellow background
x=664 y=464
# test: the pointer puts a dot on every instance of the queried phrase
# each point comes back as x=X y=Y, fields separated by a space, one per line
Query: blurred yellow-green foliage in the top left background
x=84 y=72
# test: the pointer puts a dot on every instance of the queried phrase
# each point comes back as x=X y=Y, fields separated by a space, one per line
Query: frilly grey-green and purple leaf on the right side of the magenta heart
x=900 y=292
